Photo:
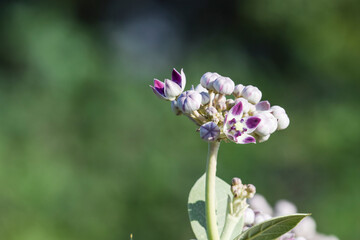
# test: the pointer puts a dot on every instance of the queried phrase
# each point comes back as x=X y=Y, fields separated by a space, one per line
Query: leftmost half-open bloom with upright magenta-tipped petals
x=170 y=89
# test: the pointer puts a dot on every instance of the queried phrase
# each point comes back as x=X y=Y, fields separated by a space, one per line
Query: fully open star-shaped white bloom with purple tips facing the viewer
x=238 y=128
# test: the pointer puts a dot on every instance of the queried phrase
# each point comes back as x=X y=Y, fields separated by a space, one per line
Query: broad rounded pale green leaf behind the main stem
x=196 y=207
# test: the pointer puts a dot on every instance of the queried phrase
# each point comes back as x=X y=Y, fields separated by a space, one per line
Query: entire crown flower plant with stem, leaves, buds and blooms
x=229 y=112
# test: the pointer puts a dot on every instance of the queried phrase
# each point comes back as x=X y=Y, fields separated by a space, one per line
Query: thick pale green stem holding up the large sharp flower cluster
x=211 y=222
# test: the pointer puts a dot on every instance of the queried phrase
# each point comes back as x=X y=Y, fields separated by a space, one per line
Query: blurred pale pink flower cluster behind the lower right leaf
x=260 y=211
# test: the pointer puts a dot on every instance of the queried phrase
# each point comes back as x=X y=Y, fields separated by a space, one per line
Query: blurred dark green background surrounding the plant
x=88 y=152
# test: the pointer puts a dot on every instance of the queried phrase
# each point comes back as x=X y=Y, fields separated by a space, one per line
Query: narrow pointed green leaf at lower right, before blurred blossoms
x=272 y=228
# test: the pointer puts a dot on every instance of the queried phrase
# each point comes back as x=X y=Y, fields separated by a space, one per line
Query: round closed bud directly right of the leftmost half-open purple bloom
x=189 y=101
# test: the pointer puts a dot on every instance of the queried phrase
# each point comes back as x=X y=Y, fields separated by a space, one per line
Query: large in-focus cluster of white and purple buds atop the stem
x=223 y=110
